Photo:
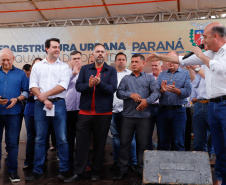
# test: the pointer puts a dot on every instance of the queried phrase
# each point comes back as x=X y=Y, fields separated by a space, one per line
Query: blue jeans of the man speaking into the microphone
x=217 y=118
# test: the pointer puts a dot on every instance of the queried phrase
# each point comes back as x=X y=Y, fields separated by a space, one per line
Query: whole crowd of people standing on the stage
x=85 y=101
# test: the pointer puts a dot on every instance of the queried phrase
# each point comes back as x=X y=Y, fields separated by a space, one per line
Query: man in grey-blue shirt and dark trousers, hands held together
x=137 y=90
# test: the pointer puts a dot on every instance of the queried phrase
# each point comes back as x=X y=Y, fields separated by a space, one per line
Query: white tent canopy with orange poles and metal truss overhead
x=22 y=13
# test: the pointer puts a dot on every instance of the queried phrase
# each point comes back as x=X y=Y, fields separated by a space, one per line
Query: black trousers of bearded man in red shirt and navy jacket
x=86 y=126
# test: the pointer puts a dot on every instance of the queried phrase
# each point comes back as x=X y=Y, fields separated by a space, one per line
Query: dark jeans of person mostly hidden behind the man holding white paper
x=30 y=126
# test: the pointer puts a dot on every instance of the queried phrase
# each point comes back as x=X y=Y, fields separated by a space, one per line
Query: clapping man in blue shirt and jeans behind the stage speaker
x=175 y=88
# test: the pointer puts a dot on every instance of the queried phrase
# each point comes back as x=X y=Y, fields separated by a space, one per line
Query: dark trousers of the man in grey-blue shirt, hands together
x=129 y=126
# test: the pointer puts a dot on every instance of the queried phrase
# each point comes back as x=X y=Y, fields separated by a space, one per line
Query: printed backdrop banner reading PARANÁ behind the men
x=28 y=43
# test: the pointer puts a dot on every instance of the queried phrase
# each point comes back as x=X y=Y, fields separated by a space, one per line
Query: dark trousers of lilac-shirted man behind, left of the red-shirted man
x=71 y=132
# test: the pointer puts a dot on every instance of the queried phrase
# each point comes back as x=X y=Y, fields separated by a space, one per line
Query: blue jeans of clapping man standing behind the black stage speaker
x=171 y=128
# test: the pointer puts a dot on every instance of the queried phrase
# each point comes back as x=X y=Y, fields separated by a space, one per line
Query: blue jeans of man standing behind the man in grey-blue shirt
x=115 y=131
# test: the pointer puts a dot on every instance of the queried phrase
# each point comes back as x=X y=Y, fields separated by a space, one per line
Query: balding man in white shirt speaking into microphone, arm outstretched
x=215 y=76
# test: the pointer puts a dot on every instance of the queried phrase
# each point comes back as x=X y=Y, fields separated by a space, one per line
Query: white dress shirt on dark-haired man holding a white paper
x=47 y=76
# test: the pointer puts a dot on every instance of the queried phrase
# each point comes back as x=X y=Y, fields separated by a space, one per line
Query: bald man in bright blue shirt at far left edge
x=13 y=81
